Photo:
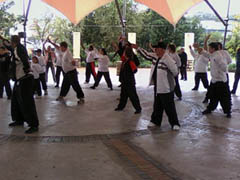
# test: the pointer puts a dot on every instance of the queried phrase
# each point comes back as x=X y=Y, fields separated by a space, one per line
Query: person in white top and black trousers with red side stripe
x=90 y=63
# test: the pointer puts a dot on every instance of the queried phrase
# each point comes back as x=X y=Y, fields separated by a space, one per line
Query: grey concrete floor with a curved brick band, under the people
x=92 y=141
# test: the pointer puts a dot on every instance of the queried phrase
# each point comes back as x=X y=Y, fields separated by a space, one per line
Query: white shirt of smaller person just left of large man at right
x=201 y=62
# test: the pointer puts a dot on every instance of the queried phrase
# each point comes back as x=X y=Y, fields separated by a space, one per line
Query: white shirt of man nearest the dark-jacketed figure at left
x=67 y=61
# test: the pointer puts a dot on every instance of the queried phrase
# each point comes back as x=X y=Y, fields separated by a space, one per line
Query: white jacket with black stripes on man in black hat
x=166 y=71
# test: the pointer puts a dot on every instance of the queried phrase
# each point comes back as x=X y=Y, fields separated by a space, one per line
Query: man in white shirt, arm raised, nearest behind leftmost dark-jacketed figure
x=71 y=75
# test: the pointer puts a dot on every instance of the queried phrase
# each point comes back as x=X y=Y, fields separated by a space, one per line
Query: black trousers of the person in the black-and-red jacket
x=129 y=91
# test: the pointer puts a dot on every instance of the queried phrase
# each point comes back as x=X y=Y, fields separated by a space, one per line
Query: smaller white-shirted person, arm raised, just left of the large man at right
x=200 y=68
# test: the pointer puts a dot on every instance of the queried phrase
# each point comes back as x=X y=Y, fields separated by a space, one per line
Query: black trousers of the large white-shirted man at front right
x=220 y=93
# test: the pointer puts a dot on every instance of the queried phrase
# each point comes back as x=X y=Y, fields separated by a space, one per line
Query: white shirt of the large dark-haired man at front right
x=218 y=66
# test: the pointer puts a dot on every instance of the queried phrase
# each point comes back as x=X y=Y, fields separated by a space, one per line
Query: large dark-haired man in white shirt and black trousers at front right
x=219 y=84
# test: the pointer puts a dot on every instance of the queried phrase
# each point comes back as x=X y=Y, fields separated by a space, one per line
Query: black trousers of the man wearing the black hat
x=164 y=102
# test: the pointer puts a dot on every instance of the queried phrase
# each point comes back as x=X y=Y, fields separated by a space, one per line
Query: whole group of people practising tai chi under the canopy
x=167 y=64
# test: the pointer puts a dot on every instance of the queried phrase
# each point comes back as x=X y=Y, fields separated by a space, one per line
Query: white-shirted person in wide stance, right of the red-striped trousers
x=103 y=61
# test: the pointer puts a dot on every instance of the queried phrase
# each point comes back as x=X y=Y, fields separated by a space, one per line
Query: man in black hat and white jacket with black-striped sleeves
x=163 y=73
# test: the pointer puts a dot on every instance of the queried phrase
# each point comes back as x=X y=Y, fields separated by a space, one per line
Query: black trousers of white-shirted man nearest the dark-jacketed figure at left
x=71 y=79
